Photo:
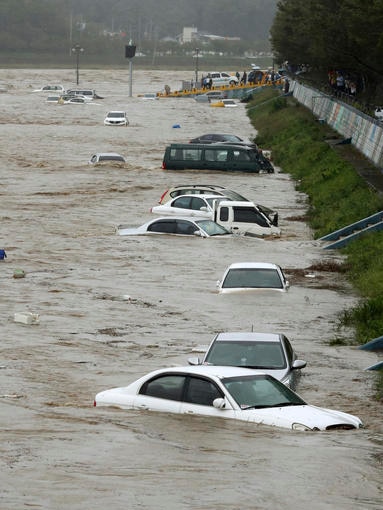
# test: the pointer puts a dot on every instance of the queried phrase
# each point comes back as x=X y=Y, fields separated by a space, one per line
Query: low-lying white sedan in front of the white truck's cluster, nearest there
x=177 y=226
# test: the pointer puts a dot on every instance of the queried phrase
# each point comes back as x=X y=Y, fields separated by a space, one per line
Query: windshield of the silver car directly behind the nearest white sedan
x=261 y=355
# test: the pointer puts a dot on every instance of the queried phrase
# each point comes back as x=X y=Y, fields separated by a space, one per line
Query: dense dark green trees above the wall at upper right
x=343 y=35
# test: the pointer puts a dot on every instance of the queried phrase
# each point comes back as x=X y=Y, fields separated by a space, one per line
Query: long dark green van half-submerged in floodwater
x=241 y=158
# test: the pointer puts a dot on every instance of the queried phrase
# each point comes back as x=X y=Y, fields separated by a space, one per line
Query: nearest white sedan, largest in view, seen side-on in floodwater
x=225 y=392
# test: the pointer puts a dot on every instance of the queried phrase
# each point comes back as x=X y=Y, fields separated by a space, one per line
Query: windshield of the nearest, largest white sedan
x=259 y=391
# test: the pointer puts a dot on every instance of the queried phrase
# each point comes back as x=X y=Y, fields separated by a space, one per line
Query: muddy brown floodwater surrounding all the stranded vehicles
x=113 y=308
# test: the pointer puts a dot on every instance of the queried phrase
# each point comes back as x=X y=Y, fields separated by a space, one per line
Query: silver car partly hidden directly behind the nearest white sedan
x=270 y=352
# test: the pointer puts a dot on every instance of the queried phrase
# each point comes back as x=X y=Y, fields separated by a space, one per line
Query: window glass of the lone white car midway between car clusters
x=252 y=278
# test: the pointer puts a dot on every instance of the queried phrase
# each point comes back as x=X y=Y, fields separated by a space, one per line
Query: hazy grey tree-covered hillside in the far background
x=53 y=25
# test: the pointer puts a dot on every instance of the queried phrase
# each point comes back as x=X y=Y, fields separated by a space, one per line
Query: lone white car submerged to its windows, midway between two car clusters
x=242 y=276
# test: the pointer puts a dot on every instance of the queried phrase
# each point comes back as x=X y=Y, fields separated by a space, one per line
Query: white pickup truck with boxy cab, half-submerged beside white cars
x=244 y=218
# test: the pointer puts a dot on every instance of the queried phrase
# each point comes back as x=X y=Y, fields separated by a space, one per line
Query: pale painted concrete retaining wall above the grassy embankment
x=365 y=132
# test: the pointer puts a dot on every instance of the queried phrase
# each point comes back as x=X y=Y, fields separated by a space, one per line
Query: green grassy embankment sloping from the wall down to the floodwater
x=337 y=196
